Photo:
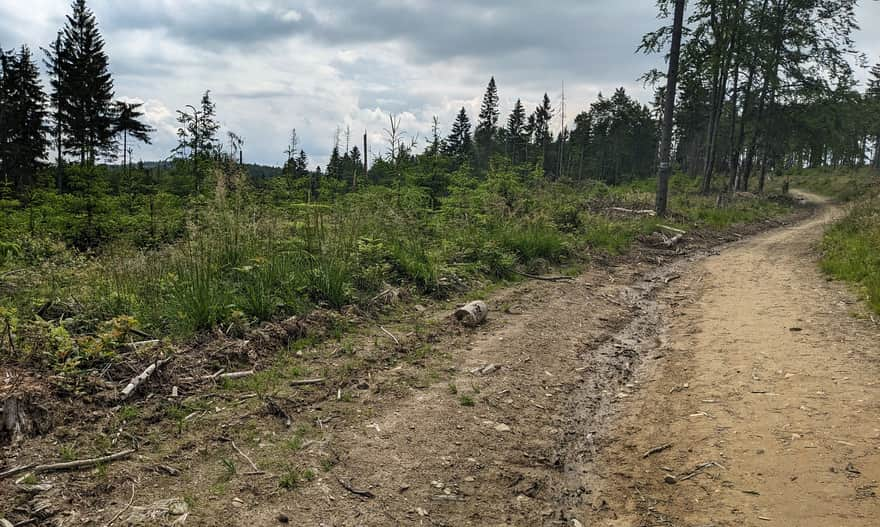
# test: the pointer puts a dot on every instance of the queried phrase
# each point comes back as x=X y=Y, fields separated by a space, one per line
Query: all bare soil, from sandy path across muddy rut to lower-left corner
x=746 y=364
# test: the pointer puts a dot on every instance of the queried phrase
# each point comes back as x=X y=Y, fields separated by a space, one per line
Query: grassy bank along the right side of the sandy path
x=851 y=247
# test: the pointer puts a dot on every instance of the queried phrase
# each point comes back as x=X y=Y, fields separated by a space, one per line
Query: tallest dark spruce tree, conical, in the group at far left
x=85 y=85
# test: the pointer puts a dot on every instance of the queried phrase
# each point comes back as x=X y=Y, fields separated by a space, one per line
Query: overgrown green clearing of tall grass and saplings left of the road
x=241 y=263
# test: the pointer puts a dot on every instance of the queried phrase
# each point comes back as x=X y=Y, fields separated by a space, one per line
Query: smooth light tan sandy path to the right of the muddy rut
x=769 y=377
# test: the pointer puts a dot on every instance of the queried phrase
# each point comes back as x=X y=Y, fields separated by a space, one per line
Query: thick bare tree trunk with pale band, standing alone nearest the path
x=665 y=168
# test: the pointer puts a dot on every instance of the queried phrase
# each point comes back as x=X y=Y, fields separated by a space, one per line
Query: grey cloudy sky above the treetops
x=323 y=65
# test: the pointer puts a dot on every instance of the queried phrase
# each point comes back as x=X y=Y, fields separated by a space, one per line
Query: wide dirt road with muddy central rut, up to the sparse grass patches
x=751 y=367
